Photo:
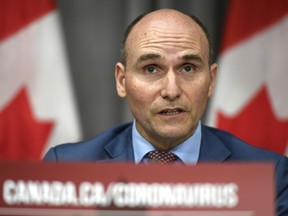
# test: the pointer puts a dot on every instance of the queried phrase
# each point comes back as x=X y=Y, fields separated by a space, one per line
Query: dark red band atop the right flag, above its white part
x=246 y=18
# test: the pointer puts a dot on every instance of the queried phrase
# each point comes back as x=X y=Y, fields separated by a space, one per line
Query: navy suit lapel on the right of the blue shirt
x=212 y=148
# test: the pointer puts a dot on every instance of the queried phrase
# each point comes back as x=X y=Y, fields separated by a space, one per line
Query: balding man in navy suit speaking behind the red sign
x=167 y=75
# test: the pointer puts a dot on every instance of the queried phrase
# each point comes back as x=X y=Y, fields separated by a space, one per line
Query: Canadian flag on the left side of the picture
x=37 y=108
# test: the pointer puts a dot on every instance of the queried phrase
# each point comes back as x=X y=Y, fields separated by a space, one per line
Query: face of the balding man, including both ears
x=167 y=79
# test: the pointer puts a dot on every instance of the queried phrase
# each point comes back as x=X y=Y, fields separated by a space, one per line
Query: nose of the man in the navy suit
x=171 y=87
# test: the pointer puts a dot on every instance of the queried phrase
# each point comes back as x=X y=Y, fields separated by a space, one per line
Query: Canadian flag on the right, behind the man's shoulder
x=251 y=95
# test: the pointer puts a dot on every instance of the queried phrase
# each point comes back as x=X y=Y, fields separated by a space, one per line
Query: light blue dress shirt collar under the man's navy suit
x=187 y=152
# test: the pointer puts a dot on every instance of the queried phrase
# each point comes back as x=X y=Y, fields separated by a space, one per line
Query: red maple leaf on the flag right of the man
x=257 y=124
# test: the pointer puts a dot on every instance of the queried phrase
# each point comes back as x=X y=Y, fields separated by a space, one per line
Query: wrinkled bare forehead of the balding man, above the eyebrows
x=164 y=27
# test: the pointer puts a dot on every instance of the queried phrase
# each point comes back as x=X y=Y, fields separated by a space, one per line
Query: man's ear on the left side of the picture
x=120 y=79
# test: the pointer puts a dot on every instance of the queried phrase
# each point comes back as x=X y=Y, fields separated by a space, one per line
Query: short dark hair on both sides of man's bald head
x=135 y=21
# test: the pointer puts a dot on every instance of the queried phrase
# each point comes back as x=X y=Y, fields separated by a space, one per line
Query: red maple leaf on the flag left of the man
x=21 y=135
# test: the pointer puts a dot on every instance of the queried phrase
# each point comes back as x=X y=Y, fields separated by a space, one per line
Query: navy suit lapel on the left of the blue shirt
x=120 y=148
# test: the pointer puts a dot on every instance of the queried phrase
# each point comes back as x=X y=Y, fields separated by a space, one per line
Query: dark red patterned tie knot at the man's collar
x=161 y=157
